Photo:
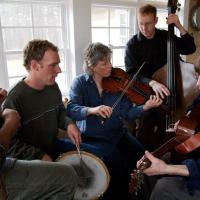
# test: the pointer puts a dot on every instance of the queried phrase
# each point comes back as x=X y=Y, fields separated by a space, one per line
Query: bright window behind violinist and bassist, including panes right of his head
x=115 y=25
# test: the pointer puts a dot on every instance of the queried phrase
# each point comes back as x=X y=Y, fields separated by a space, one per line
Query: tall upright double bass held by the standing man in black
x=177 y=75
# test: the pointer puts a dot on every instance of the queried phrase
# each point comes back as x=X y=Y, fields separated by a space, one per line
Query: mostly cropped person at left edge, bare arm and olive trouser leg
x=20 y=179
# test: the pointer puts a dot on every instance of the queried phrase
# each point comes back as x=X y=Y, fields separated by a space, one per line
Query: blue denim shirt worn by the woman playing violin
x=84 y=94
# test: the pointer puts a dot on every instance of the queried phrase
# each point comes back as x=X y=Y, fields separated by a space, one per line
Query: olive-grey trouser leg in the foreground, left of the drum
x=40 y=180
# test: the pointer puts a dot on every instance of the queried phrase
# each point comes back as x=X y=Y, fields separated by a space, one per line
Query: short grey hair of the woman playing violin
x=93 y=53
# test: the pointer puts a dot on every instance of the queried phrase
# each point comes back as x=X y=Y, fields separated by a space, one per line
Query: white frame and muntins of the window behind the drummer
x=64 y=6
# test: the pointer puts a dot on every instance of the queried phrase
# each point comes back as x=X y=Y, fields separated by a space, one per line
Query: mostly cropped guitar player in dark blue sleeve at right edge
x=183 y=181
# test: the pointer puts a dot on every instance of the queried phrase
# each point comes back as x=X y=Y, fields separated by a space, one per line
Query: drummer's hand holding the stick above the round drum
x=74 y=134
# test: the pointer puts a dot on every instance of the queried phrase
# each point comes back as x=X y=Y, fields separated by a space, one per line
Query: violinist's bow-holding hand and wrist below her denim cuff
x=103 y=111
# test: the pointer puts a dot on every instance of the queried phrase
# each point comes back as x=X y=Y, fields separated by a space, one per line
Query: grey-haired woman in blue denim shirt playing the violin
x=101 y=125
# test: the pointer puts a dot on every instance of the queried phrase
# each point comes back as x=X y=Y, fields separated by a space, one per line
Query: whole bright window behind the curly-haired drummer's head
x=25 y=20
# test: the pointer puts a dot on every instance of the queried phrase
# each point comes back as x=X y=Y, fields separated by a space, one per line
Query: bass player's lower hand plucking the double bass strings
x=159 y=89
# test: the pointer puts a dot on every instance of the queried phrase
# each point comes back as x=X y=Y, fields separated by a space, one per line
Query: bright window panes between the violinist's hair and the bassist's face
x=111 y=26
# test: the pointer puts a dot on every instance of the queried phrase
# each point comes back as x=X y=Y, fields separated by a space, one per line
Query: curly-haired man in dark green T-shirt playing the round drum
x=38 y=100
